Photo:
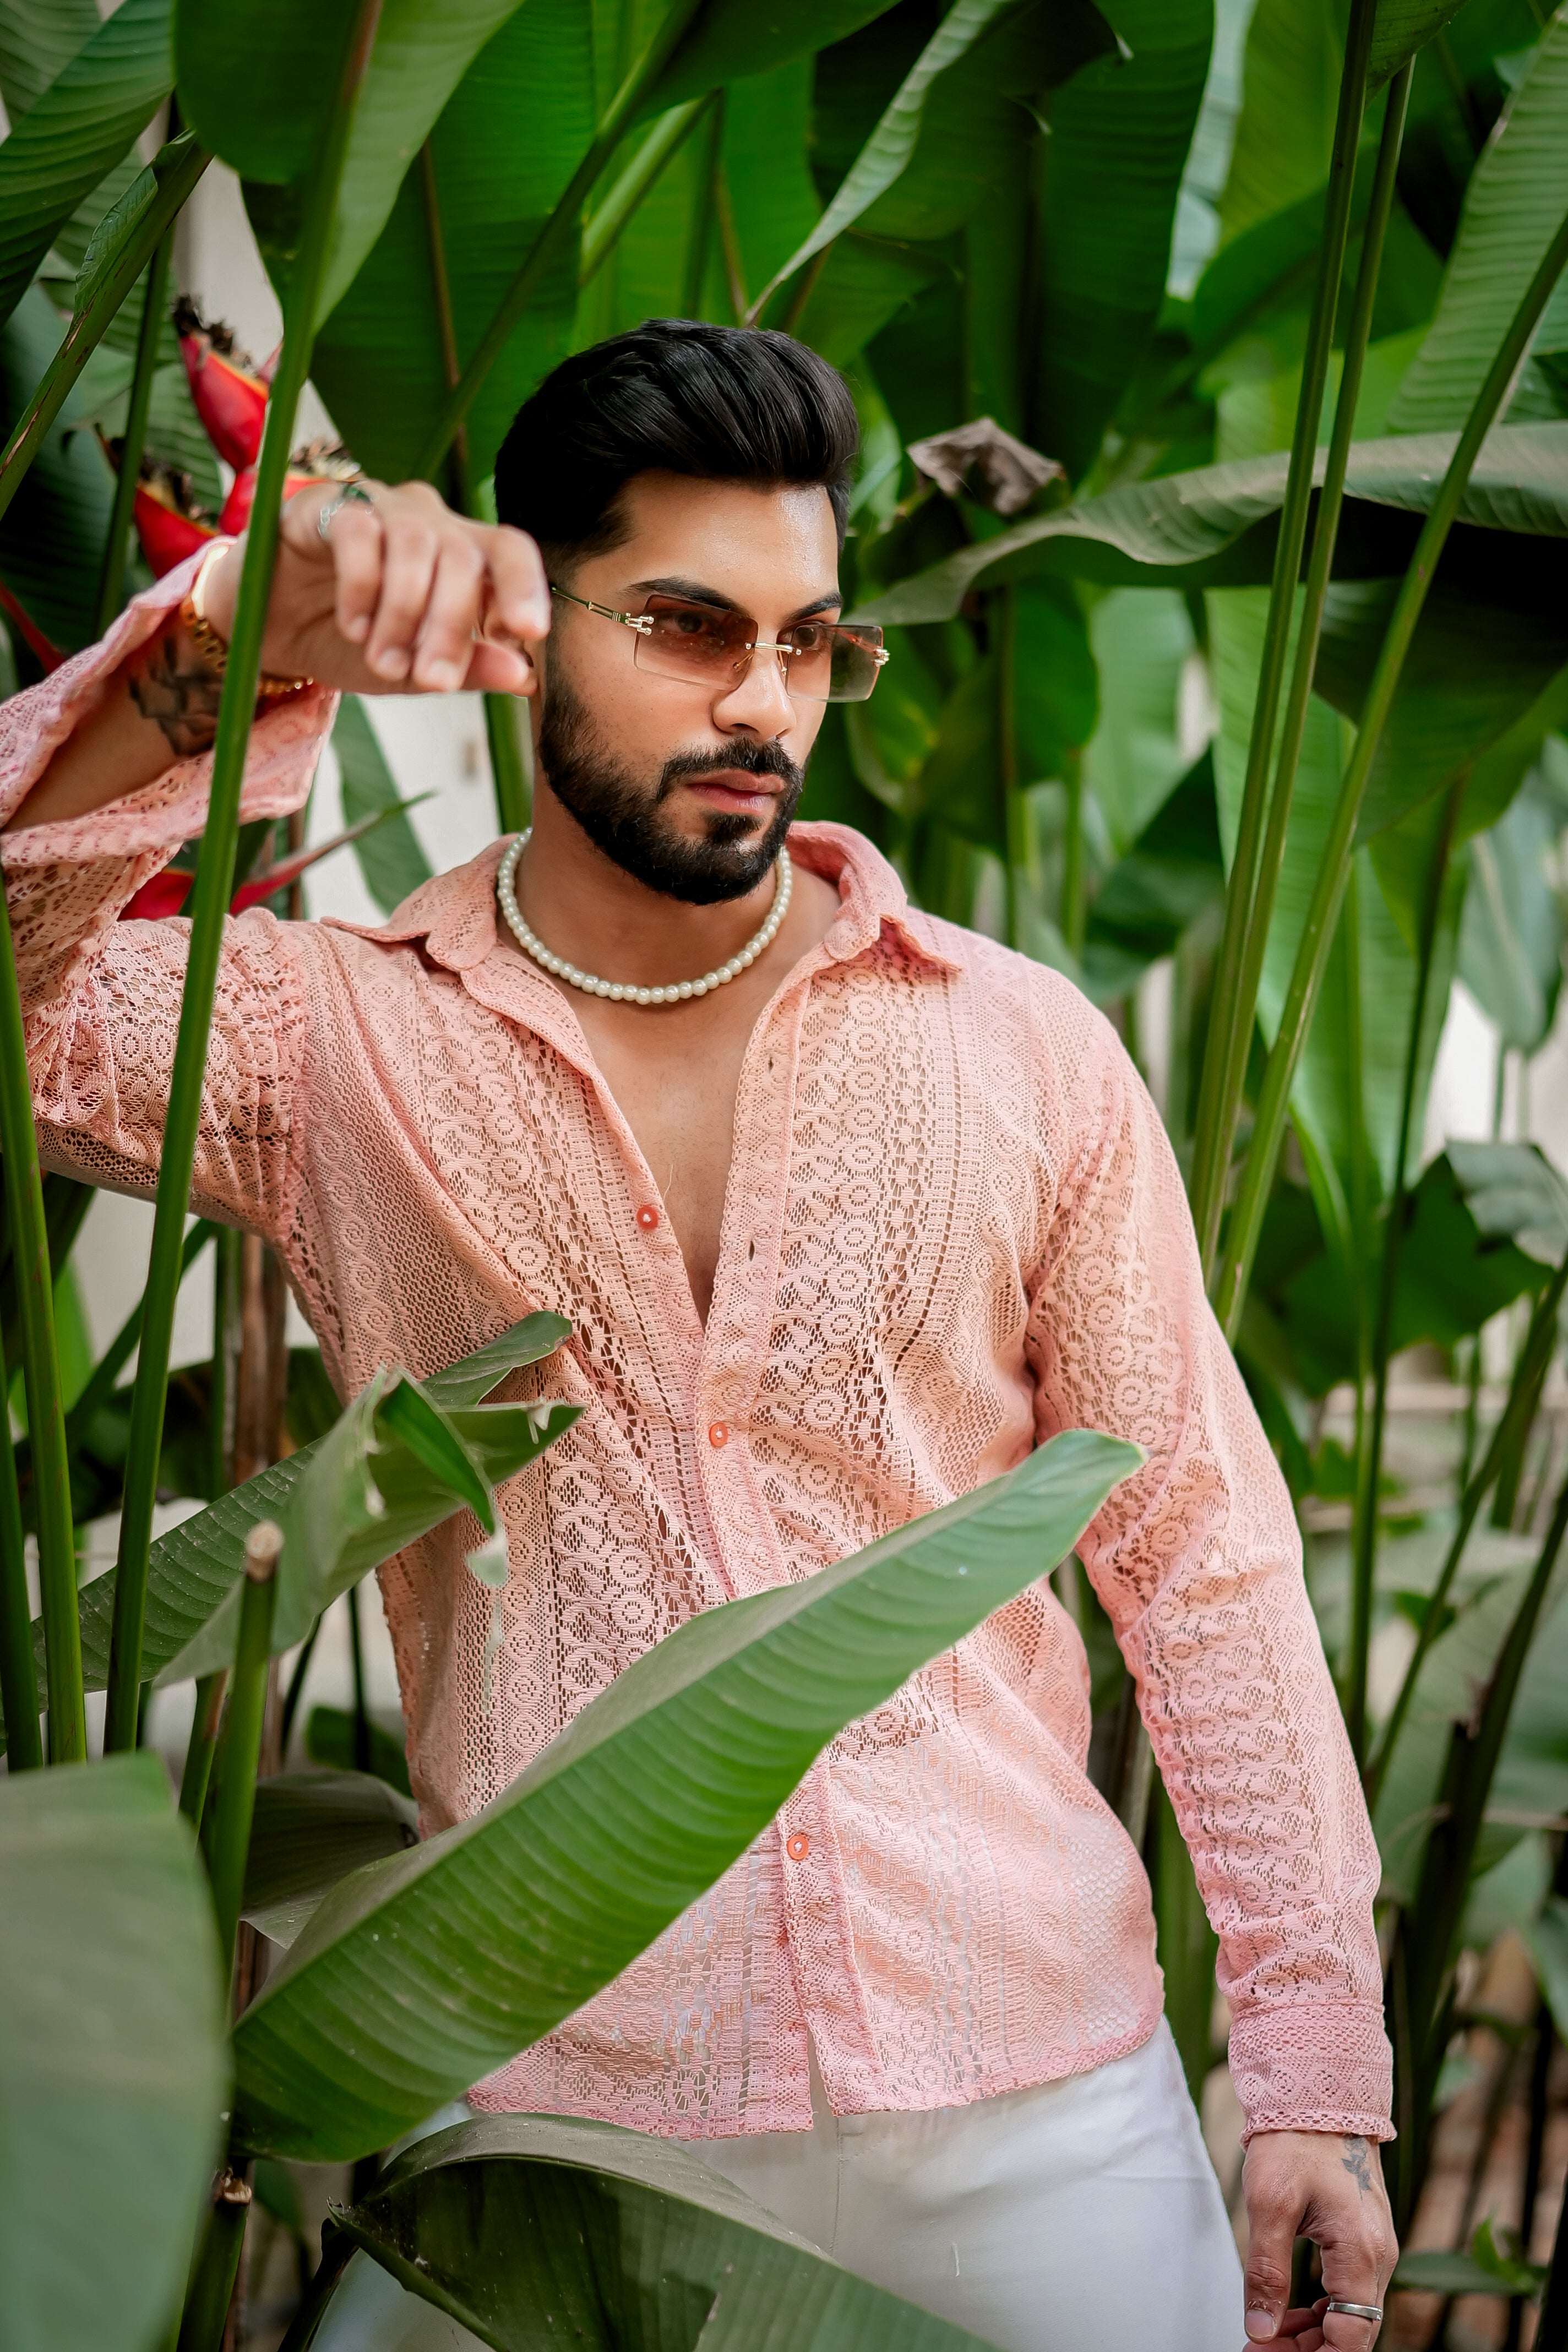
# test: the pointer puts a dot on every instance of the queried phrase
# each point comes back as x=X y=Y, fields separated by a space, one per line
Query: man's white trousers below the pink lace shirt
x=1080 y=2217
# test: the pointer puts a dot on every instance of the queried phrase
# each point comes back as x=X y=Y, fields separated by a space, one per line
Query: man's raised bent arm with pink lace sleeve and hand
x=105 y=773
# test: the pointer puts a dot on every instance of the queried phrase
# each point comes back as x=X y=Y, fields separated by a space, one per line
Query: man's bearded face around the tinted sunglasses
x=688 y=784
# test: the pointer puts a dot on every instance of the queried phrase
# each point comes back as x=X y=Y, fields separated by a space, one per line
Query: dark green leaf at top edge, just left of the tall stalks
x=1106 y=229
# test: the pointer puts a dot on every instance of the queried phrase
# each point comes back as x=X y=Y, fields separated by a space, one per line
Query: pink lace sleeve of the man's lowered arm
x=1198 y=1563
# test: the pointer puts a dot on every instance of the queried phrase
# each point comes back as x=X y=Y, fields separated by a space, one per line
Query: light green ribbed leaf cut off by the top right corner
x=1513 y=208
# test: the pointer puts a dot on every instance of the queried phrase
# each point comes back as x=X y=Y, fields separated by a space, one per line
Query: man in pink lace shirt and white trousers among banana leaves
x=847 y=1210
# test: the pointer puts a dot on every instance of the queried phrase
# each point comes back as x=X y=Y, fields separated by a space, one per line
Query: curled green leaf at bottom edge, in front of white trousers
x=532 y=2229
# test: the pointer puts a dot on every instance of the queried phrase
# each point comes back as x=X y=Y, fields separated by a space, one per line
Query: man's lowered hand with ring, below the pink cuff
x=1329 y=2189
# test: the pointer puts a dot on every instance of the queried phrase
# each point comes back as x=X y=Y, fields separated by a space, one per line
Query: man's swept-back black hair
x=716 y=403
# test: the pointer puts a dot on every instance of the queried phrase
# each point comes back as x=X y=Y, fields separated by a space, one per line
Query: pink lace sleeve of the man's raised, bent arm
x=102 y=996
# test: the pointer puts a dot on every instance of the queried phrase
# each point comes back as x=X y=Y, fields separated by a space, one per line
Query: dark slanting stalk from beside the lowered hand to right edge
x=1430 y=1927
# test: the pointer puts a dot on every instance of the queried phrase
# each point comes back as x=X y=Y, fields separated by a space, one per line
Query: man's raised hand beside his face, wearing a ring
x=401 y=599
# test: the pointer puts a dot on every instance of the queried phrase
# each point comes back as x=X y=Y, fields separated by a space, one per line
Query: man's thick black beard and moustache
x=622 y=815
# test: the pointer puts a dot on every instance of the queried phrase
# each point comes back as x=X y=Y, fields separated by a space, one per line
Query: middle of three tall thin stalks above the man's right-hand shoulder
x=1320 y=568
